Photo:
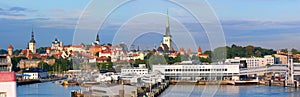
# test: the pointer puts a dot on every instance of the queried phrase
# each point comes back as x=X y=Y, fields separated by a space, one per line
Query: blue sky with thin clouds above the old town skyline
x=267 y=23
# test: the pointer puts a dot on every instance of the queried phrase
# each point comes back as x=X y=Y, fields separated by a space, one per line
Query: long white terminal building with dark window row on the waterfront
x=198 y=72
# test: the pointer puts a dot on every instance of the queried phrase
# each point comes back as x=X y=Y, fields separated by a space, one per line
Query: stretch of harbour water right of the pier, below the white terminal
x=230 y=91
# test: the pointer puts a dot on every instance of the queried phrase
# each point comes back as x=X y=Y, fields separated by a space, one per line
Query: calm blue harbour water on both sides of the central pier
x=49 y=89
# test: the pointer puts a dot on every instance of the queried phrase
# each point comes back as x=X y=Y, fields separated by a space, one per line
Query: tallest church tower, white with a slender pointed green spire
x=167 y=37
